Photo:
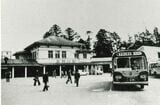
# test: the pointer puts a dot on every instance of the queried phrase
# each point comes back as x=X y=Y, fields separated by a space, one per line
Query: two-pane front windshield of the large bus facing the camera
x=133 y=63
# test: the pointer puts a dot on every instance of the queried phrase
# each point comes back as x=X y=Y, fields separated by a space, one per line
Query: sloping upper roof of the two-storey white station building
x=54 y=41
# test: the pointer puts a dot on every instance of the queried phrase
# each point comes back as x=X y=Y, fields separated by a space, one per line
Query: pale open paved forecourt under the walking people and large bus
x=93 y=90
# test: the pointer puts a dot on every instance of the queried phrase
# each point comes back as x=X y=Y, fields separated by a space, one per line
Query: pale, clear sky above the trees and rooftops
x=25 y=21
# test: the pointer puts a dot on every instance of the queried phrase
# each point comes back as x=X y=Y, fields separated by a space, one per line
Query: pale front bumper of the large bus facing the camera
x=130 y=83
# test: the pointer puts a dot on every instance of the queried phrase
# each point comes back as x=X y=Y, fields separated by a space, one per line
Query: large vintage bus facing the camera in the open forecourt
x=130 y=68
